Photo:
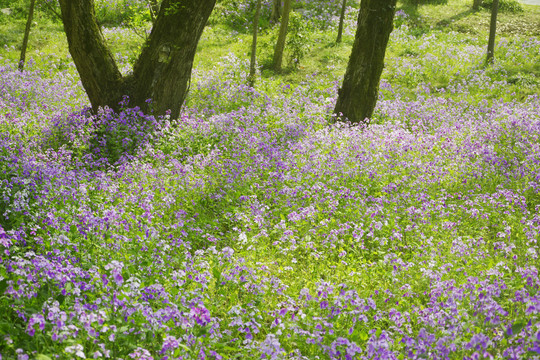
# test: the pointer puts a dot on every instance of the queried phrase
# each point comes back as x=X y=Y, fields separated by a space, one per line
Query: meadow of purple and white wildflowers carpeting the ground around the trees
x=252 y=227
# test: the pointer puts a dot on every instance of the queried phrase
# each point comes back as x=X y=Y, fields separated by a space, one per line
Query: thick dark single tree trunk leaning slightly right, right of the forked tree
x=358 y=94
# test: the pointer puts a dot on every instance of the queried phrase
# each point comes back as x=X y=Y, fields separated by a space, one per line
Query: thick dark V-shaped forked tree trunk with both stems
x=162 y=71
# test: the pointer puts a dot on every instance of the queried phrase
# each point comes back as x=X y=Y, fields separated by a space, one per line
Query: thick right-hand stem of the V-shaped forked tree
x=163 y=70
